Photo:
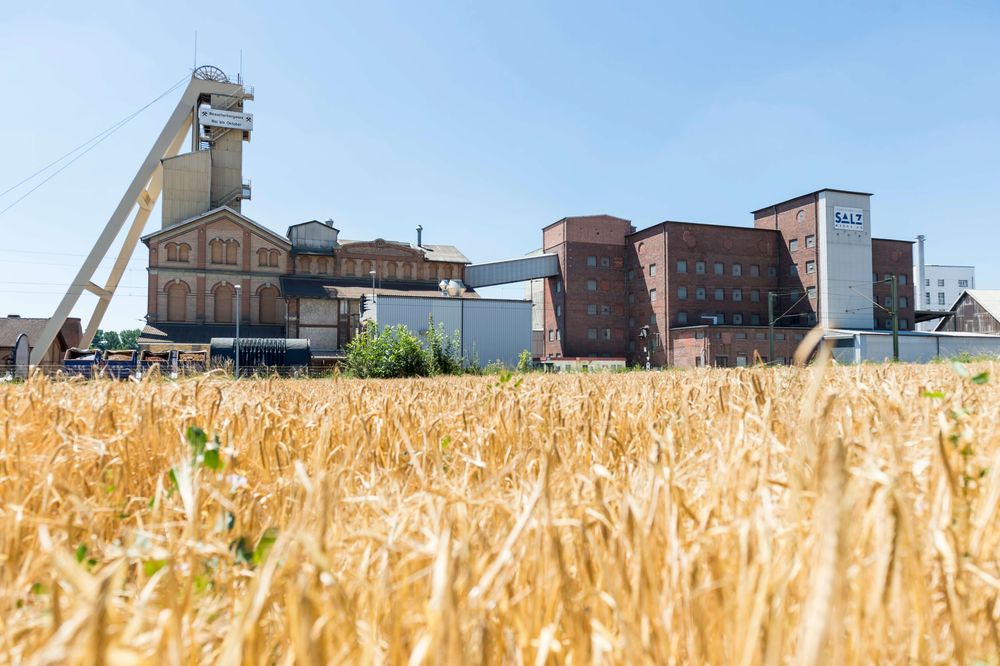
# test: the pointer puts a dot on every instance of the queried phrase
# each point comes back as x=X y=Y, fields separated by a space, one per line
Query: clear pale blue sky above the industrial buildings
x=486 y=121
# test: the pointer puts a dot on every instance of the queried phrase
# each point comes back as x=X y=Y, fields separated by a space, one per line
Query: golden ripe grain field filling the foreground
x=843 y=515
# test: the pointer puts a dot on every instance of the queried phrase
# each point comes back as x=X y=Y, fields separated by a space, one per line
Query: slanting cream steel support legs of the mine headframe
x=143 y=191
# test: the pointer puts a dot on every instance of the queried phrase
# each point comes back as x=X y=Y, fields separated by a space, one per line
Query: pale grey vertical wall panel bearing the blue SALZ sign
x=845 y=259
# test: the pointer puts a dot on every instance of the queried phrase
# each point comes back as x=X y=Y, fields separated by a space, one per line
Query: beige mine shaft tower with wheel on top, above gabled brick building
x=211 y=175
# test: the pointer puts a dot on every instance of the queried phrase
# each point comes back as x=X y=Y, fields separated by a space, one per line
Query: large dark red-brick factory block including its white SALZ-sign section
x=693 y=294
